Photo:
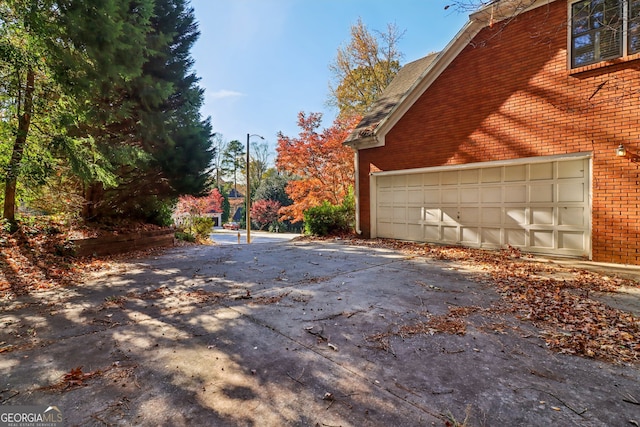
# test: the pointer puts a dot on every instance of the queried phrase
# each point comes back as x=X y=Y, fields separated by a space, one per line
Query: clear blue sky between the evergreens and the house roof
x=263 y=61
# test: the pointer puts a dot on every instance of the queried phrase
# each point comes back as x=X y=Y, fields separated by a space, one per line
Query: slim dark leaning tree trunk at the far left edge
x=13 y=169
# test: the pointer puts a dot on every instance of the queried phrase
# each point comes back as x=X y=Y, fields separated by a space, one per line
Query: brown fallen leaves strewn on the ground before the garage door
x=557 y=299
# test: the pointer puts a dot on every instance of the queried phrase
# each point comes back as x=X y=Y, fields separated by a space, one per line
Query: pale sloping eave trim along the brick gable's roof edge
x=477 y=21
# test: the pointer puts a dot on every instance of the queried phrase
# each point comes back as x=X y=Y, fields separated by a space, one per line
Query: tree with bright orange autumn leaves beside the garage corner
x=323 y=168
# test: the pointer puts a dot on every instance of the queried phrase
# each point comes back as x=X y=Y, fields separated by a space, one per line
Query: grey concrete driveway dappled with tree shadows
x=296 y=333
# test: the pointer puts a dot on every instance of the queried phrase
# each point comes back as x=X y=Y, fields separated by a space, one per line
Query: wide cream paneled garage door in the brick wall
x=539 y=205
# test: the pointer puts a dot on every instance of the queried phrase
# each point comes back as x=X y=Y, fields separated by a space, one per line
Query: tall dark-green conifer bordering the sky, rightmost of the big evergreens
x=164 y=122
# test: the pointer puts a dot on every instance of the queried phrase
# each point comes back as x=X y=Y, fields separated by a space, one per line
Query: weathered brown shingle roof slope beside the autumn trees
x=408 y=75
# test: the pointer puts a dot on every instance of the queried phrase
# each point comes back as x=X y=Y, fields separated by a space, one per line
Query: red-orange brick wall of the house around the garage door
x=510 y=94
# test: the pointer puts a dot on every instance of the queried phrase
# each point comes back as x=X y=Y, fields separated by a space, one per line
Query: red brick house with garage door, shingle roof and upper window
x=523 y=131
